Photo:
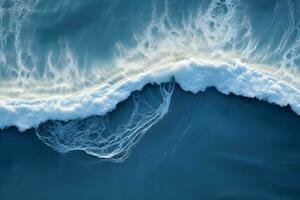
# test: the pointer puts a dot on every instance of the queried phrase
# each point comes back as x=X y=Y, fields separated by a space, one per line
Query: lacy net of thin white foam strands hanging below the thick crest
x=94 y=137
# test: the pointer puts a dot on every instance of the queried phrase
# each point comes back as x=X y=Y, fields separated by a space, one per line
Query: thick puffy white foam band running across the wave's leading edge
x=192 y=75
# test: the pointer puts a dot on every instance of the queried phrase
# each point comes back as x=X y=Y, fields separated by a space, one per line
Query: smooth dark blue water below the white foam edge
x=208 y=146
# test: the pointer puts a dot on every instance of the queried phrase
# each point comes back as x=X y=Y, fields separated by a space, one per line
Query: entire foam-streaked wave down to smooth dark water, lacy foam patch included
x=63 y=60
